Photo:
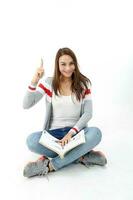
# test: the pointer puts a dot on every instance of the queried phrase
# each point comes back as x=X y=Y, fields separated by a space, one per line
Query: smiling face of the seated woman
x=66 y=66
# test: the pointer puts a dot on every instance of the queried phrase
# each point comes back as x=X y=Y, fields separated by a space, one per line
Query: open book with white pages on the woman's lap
x=51 y=142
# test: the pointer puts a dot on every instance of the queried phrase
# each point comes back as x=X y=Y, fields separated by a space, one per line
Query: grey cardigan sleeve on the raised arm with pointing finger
x=34 y=94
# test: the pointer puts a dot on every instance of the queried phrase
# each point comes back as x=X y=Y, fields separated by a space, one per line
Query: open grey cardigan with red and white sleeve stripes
x=44 y=88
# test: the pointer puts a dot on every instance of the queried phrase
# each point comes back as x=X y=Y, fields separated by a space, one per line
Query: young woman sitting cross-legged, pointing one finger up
x=68 y=110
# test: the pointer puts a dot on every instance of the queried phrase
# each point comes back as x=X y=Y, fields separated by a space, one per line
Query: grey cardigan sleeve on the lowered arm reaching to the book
x=86 y=111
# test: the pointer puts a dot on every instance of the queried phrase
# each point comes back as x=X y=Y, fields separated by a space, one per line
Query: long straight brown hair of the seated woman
x=78 y=79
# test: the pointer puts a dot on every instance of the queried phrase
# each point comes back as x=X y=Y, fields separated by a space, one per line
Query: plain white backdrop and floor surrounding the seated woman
x=101 y=35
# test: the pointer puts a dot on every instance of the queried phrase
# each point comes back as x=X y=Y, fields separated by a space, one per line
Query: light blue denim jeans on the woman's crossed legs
x=93 y=136
